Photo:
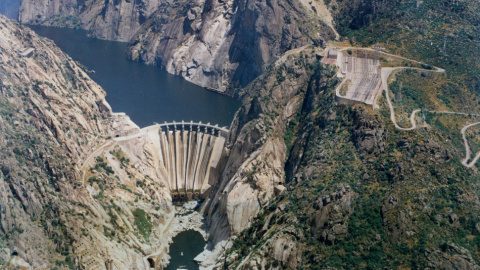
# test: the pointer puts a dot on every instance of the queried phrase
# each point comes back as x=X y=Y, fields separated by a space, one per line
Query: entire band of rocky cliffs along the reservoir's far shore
x=215 y=44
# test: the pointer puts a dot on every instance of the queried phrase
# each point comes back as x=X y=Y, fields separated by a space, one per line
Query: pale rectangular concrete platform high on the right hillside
x=362 y=72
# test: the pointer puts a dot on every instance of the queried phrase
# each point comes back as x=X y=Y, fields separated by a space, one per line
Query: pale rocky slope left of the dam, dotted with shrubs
x=56 y=210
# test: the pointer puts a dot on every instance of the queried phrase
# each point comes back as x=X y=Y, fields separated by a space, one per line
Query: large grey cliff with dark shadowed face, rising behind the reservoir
x=220 y=43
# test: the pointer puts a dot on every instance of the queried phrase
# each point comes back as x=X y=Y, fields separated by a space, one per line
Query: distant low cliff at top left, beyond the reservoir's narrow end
x=111 y=20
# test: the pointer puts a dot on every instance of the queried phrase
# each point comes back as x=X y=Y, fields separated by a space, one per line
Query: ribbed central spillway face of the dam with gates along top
x=190 y=157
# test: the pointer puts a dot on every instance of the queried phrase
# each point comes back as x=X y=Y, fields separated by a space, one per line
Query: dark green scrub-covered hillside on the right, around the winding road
x=361 y=193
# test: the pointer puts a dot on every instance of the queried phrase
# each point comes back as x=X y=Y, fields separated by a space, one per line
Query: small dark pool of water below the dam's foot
x=191 y=243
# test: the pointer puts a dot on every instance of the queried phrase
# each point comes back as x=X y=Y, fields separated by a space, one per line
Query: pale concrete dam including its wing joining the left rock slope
x=186 y=157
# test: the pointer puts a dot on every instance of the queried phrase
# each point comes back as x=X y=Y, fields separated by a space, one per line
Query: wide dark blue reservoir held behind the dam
x=146 y=93
